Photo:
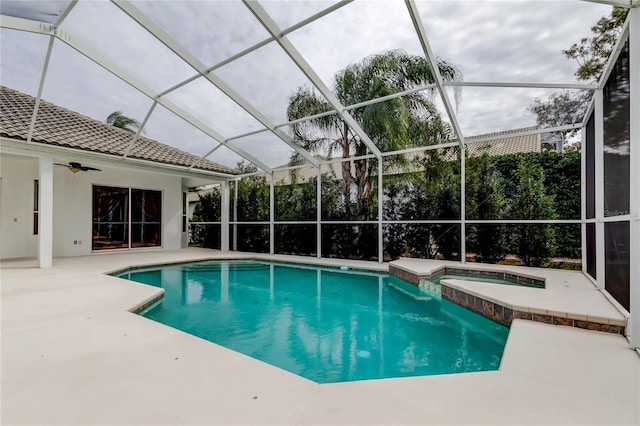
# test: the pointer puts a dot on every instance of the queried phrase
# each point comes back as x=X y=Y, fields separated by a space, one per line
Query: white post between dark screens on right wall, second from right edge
x=599 y=187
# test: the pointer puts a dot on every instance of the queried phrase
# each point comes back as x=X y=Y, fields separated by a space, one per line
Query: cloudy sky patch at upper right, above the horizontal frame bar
x=509 y=41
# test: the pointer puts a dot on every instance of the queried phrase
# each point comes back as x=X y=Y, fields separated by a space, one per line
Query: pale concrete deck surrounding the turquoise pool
x=73 y=354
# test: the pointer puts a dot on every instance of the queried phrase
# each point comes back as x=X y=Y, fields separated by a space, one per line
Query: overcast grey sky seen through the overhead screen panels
x=503 y=41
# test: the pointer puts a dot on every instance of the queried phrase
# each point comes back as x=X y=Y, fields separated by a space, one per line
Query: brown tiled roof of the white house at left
x=62 y=127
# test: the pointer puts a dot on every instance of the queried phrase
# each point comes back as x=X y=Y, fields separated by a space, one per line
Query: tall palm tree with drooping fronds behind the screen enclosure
x=410 y=120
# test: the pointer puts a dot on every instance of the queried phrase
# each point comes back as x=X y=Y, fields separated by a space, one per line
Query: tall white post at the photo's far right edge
x=634 y=176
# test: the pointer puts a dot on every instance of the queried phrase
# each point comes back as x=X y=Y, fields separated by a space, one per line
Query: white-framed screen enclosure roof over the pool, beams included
x=214 y=77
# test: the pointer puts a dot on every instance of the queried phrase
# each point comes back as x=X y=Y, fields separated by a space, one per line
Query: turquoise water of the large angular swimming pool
x=327 y=325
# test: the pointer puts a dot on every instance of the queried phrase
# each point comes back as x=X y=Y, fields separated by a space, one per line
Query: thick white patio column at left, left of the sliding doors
x=45 y=213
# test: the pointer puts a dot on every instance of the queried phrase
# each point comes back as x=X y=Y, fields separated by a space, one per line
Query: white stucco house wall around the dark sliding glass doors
x=72 y=205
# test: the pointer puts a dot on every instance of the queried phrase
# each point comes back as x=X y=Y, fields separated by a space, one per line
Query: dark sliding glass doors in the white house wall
x=126 y=218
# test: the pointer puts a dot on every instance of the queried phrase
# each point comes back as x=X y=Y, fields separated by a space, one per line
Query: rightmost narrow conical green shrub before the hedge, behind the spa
x=536 y=243
